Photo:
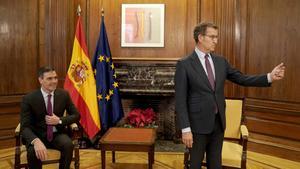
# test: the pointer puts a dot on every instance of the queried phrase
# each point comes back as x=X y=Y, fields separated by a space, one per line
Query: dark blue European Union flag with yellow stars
x=109 y=101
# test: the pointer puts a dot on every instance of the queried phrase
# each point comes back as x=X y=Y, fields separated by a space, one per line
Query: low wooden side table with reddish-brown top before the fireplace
x=128 y=139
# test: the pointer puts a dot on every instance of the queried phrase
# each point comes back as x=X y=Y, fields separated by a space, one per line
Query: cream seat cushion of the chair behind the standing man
x=232 y=154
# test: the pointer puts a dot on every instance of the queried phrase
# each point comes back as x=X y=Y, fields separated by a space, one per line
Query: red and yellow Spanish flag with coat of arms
x=81 y=84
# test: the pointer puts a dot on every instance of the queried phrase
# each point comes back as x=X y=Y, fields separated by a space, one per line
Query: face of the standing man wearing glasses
x=208 y=42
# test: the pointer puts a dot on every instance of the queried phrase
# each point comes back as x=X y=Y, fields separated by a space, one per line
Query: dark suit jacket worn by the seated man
x=33 y=112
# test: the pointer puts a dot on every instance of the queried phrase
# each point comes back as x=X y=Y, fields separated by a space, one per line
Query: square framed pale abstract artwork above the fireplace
x=142 y=25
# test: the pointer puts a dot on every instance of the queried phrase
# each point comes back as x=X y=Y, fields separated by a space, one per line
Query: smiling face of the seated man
x=49 y=81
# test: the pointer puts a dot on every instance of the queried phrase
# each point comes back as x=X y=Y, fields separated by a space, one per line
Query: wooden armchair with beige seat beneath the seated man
x=53 y=155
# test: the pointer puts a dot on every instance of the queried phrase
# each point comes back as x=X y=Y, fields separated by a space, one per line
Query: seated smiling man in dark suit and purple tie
x=42 y=121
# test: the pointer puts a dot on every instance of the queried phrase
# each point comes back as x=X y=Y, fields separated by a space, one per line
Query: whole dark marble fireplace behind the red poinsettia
x=150 y=85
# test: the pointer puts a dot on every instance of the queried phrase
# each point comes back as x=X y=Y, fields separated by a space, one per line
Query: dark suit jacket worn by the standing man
x=195 y=99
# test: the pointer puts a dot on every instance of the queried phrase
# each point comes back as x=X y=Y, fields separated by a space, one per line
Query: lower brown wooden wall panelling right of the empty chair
x=268 y=122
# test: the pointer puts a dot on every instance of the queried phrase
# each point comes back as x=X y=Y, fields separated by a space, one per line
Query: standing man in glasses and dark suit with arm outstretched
x=200 y=100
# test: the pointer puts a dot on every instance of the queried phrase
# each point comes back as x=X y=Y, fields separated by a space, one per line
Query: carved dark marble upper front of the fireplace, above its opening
x=146 y=79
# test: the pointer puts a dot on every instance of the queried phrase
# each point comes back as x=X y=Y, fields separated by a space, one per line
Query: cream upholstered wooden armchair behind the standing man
x=234 y=152
